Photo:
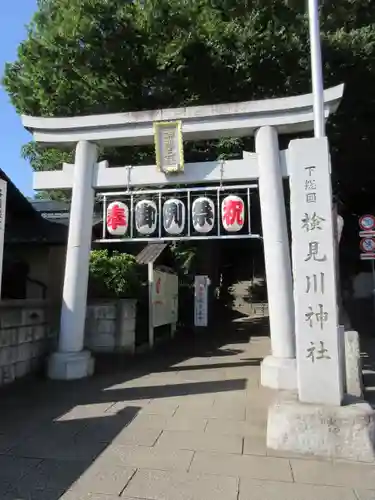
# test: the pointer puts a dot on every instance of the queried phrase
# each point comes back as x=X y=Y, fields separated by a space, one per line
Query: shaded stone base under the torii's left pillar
x=70 y=365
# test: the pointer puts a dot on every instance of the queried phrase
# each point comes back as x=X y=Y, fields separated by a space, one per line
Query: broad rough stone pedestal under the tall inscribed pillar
x=345 y=432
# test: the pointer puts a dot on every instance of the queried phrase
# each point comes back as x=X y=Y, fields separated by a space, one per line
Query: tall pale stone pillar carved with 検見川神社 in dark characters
x=317 y=335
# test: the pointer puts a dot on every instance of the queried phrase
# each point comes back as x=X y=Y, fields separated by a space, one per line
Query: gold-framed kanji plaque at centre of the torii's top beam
x=169 y=147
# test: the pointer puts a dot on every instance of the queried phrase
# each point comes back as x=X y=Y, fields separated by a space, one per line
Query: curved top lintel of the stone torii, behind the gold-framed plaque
x=288 y=115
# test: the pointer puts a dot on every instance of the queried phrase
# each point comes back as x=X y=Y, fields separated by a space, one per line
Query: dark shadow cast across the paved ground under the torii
x=51 y=433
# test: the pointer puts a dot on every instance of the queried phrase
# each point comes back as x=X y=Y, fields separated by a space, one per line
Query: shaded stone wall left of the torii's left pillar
x=26 y=333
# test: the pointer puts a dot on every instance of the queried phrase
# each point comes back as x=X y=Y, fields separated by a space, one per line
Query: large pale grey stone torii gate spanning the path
x=265 y=119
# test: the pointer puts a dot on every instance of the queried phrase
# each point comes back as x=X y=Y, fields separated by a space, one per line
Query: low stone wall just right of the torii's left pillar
x=110 y=326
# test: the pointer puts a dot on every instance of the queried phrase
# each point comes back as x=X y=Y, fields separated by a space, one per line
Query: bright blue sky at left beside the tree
x=13 y=136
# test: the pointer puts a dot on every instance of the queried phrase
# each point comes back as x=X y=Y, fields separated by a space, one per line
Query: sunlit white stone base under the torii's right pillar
x=279 y=373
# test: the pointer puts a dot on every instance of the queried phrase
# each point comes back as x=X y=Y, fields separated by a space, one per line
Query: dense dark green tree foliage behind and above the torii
x=103 y=56
